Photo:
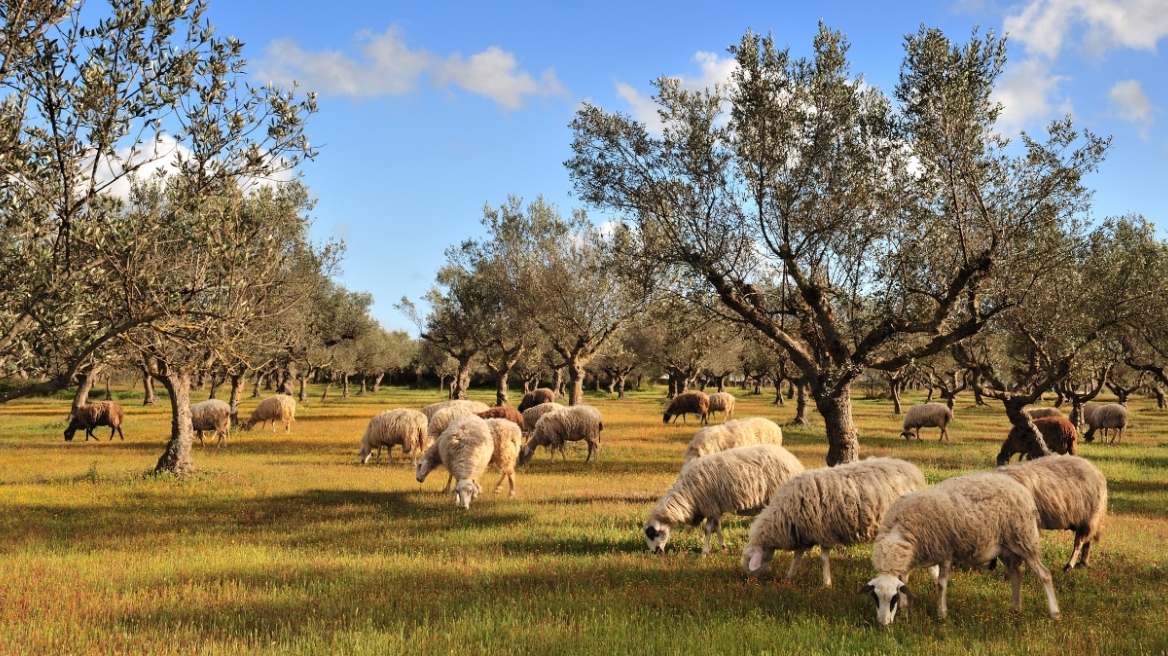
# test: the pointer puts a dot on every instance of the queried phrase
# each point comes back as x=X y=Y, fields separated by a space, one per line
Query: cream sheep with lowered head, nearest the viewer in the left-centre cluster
x=465 y=448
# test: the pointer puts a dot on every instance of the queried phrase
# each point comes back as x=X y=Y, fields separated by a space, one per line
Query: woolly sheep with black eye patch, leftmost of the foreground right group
x=739 y=480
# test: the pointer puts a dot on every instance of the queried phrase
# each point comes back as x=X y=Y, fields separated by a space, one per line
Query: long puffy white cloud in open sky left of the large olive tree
x=388 y=67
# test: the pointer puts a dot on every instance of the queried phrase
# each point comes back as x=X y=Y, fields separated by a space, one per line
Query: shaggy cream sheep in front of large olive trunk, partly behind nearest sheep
x=828 y=507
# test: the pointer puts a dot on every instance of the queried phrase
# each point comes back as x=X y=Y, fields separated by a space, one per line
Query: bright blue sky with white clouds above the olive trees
x=430 y=110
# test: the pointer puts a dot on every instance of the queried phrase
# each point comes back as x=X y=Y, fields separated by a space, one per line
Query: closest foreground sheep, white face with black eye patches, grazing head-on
x=971 y=519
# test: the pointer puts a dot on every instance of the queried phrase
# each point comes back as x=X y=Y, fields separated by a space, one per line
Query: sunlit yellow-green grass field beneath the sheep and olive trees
x=284 y=545
